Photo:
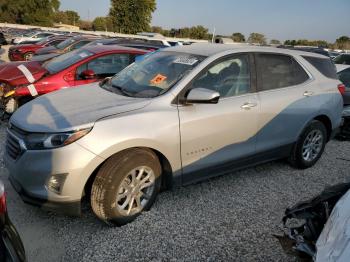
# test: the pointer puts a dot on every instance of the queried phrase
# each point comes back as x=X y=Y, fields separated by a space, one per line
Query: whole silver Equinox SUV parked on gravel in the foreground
x=174 y=117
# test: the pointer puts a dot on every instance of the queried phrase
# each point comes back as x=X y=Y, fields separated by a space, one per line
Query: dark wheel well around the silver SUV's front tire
x=164 y=162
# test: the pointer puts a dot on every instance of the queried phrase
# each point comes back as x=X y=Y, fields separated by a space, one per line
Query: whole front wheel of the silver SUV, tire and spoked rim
x=126 y=185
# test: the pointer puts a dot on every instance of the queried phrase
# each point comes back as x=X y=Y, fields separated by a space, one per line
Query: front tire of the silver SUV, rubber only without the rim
x=110 y=177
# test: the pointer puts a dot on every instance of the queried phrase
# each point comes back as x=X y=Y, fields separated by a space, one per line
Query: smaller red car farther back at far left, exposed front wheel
x=26 y=51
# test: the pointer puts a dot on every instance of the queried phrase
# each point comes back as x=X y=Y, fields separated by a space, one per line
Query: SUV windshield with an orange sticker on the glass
x=153 y=75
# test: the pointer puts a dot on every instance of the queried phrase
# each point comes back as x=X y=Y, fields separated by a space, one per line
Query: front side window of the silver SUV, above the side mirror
x=229 y=77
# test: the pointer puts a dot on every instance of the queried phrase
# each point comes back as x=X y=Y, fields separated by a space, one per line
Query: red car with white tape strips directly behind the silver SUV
x=22 y=82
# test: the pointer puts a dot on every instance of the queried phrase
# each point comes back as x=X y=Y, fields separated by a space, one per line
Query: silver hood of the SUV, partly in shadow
x=72 y=109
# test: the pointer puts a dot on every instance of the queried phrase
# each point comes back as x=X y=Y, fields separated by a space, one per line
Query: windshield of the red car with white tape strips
x=64 y=61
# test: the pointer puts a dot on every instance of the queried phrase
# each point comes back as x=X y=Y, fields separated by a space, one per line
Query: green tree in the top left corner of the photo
x=33 y=12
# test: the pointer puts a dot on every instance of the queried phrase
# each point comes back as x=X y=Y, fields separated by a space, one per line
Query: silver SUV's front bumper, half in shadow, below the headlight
x=31 y=171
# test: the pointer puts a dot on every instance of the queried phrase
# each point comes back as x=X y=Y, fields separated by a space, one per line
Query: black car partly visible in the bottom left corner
x=11 y=246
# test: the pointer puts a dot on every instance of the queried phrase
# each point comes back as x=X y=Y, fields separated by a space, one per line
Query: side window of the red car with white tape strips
x=105 y=66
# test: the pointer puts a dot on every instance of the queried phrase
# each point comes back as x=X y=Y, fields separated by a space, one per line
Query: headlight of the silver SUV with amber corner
x=48 y=141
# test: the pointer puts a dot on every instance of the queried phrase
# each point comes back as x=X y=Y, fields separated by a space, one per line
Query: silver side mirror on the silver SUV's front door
x=202 y=96
